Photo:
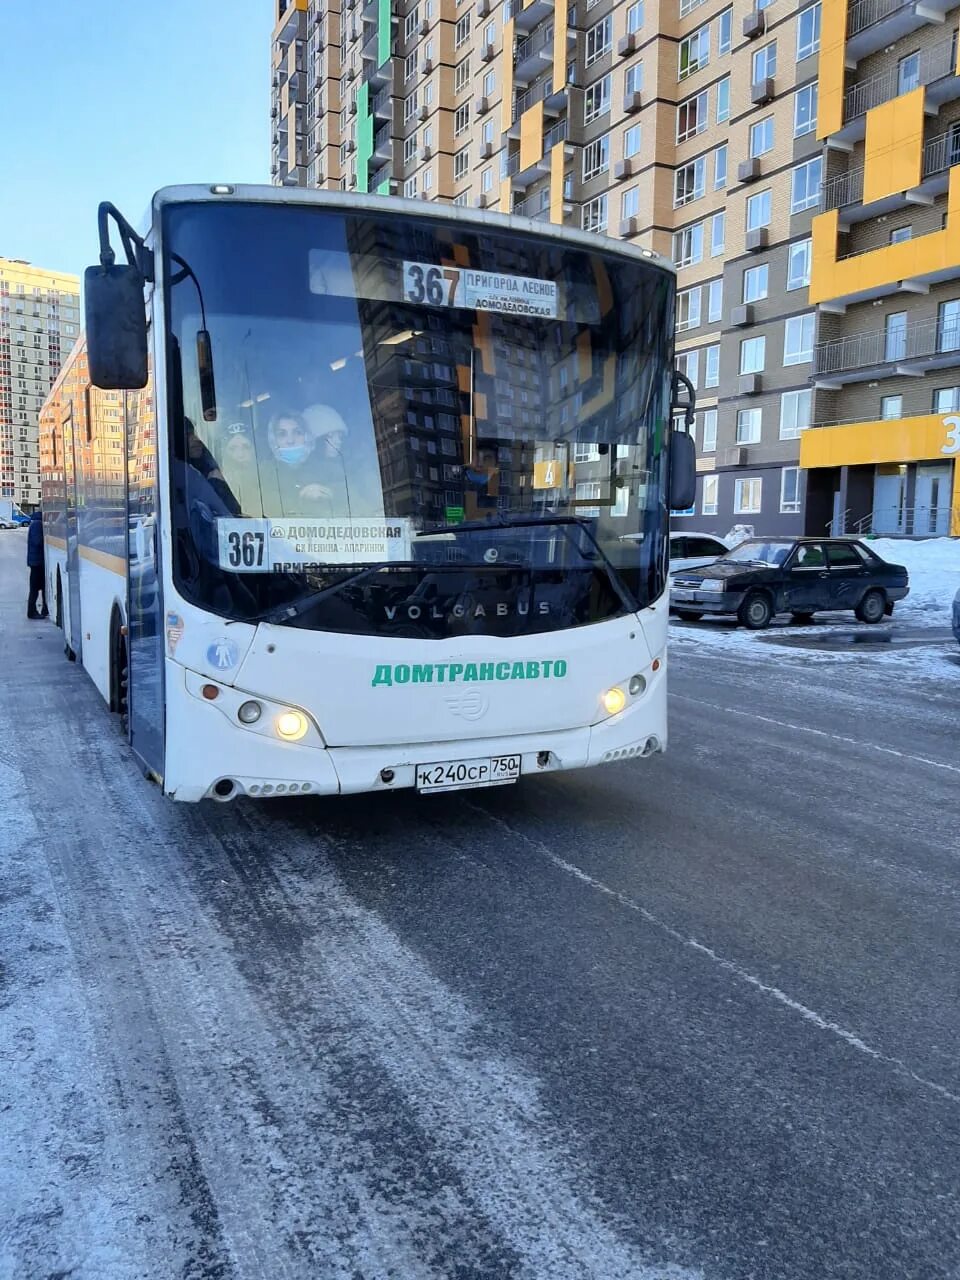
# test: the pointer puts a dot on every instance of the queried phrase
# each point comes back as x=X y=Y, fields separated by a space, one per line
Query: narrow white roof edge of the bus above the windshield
x=592 y=243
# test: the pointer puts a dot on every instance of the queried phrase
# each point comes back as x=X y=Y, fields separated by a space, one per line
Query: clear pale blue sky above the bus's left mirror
x=112 y=99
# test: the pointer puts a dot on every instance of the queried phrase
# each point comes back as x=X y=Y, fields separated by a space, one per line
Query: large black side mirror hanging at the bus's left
x=117 y=328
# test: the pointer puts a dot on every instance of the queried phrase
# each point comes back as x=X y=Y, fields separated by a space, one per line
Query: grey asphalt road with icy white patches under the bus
x=689 y=1018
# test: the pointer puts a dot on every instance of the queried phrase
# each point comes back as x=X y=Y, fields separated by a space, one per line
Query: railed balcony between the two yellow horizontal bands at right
x=904 y=353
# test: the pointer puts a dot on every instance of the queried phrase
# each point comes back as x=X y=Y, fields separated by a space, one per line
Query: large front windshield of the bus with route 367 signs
x=387 y=424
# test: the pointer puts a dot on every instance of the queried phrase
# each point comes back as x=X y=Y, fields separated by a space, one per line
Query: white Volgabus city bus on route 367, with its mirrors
x=350 y=493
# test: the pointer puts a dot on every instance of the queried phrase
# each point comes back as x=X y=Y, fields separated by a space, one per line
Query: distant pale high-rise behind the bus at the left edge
x=39 y=324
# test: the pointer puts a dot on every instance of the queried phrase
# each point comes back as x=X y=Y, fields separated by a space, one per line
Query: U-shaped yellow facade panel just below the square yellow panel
x=935 y=253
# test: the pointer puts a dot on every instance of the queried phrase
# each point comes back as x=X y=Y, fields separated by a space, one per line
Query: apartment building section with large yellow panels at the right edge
x=886 y=273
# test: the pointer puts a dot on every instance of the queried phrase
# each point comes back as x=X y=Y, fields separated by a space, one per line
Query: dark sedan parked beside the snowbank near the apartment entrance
x=802 y=577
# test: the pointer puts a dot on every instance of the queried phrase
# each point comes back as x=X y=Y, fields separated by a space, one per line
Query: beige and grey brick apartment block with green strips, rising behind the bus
x=684 y=126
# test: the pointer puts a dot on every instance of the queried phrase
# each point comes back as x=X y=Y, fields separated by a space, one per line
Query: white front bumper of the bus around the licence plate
x=211 y=756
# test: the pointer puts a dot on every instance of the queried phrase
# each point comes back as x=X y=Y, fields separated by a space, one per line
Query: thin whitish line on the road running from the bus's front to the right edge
x=808 y=1014
